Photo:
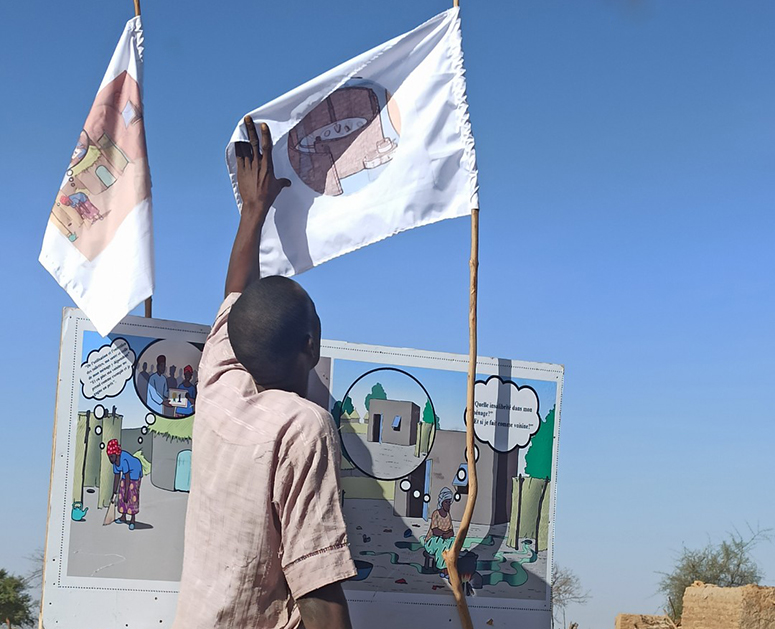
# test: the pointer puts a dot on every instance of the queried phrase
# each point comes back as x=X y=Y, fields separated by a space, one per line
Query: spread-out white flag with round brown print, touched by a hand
x=376 y=146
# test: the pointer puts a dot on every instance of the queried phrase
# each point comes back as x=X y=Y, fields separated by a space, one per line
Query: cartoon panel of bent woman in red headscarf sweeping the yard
x=132 y=456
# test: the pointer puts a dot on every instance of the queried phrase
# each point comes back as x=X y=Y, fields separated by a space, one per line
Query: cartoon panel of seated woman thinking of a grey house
x=405 y=478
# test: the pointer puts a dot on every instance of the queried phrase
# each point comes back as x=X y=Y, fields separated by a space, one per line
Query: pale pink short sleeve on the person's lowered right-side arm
x=315 y=551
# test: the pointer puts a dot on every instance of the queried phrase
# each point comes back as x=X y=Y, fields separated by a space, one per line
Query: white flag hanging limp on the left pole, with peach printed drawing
x=99 y=238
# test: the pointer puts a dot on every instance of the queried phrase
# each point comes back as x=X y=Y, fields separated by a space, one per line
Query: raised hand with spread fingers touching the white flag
x=256 y=181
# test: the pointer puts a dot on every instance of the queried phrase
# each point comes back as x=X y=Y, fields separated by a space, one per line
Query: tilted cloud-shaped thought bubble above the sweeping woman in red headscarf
x=106 y=370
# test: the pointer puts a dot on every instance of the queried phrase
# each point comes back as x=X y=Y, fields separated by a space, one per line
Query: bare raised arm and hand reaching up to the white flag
x=258 y=188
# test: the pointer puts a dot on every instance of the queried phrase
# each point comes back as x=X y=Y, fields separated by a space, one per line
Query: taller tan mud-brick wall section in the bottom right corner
x=712 y=607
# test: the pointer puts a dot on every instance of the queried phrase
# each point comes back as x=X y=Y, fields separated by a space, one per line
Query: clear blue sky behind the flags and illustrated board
x=626 y=152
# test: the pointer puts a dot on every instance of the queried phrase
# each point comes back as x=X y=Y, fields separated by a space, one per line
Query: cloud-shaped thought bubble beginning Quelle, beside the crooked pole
x=505 y=415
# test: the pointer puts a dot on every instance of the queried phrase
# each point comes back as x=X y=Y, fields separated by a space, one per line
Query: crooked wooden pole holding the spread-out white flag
x=451 y=555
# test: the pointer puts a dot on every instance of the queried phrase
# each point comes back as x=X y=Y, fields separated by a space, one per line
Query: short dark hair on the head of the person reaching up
x=269 y=325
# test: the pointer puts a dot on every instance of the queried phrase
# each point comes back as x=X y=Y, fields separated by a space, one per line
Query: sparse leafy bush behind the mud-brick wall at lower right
x=728 y=564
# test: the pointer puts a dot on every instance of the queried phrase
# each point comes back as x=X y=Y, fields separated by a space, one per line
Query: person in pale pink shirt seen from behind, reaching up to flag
x=265 y=542
